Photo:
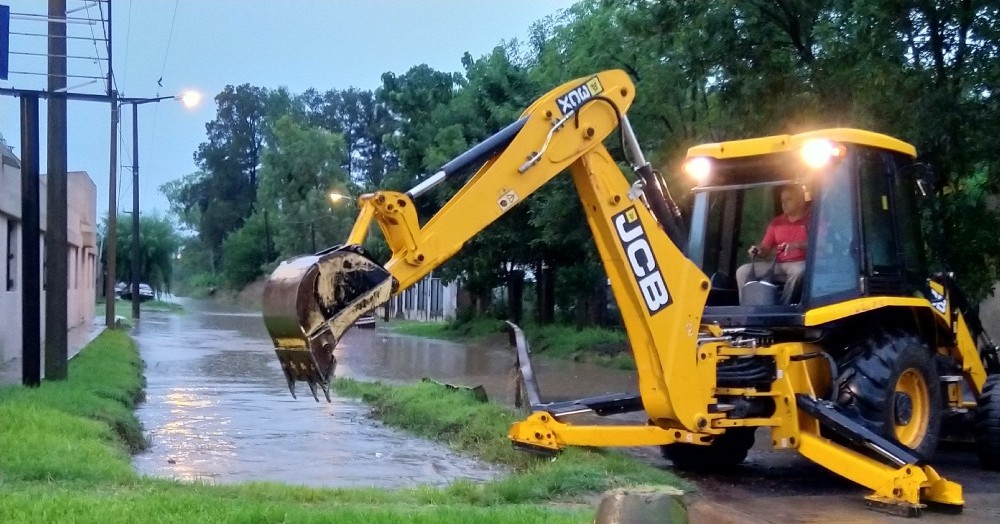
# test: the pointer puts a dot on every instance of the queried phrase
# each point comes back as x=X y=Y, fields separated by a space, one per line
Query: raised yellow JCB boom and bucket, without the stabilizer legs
x=658 y=289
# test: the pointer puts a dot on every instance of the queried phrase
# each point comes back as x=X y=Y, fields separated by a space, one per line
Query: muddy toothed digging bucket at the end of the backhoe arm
x=311 y=301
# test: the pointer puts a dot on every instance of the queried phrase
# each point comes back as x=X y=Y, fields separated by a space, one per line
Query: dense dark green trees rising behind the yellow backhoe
x=922 y=70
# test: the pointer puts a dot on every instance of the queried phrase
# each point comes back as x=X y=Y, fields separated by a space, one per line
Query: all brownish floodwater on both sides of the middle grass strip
x=218 y=409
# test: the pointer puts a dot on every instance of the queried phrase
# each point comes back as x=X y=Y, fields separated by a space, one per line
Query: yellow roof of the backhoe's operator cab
x=783 y=143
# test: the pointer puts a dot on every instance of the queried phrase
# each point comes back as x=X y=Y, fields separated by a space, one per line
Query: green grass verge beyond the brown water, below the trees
x=606 y=347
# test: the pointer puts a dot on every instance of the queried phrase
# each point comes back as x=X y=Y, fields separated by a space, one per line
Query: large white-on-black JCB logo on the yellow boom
x=641 y=261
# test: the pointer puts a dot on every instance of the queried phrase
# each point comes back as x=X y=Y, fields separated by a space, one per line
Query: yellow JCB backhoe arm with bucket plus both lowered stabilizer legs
x=310 y=302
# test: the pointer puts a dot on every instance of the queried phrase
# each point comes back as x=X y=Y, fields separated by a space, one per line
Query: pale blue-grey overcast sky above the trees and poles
x=207 y=44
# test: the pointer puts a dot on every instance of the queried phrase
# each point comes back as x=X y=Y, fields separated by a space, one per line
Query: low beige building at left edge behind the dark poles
x=83 y=268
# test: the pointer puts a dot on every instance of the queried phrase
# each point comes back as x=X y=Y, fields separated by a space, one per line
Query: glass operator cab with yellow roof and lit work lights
x=862 y=220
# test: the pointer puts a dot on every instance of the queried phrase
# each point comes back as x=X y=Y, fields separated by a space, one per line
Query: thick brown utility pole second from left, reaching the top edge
x=57 y=263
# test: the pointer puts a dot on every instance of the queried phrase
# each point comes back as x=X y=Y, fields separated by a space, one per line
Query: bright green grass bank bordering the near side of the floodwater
x=65 y=457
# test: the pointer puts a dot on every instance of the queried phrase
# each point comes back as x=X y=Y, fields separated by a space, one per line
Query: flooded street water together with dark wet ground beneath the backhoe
x=218 y=411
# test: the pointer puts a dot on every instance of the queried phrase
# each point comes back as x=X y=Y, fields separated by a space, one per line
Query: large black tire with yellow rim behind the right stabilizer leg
x=891 y=386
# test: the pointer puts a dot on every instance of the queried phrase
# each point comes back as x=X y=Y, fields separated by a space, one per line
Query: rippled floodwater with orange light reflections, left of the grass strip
x=217 y=409
